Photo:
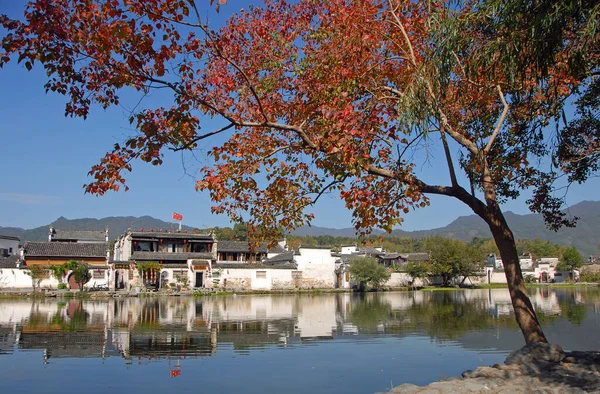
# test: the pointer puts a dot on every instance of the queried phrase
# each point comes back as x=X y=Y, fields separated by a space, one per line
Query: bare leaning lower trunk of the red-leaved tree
x=524 y=311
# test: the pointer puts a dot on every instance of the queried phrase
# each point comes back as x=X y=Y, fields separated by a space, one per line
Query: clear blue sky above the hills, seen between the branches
x=45 y=158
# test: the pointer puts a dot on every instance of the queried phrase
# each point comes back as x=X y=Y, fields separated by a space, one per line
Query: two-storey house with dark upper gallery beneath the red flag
x=183 y=258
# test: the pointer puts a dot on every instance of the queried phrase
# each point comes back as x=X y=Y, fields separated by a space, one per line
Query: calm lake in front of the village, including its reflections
x=319 y=343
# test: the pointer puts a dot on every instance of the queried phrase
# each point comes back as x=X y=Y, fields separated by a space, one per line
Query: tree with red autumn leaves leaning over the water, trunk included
x=319 y=97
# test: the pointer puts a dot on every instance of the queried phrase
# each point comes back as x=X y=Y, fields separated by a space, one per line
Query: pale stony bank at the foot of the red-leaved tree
x=538 y=368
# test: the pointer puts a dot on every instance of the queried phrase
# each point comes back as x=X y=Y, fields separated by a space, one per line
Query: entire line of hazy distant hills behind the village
x=585 y=237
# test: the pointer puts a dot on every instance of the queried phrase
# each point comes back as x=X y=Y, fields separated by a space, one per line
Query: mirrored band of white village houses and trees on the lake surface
x=175 y=327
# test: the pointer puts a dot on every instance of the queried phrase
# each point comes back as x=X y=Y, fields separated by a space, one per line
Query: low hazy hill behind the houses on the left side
x=117 y=225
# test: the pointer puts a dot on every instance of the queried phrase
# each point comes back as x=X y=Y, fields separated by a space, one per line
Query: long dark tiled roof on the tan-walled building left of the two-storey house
x=65 y=249
